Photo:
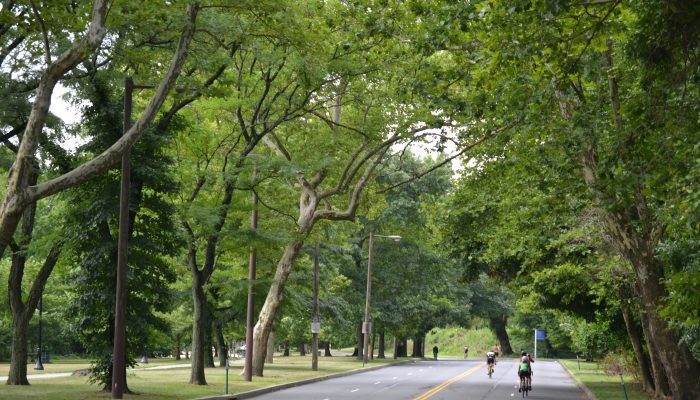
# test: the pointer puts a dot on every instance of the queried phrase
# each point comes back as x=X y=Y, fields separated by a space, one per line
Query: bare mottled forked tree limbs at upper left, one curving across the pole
x=20 y=193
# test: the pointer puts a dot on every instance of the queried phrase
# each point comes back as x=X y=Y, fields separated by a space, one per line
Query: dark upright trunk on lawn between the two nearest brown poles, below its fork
x=198 y=330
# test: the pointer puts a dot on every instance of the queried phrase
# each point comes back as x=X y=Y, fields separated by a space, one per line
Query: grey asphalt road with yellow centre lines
x=439 y=380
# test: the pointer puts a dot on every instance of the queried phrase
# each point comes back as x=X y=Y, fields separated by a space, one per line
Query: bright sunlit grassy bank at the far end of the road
x=451 y=341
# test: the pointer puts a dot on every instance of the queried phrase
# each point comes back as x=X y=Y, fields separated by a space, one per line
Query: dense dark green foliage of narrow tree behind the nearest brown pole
x=94 y=209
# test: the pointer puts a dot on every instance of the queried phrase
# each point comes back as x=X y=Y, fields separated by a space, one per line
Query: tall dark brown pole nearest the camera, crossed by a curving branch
x=119 y=352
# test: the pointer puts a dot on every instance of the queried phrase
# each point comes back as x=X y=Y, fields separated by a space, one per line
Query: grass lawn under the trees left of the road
x=172 y=383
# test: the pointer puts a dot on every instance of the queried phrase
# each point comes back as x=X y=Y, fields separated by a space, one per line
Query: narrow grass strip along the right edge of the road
x=605 y=387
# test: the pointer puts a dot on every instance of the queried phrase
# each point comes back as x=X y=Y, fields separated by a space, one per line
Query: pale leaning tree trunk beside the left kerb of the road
x=274 y=296
